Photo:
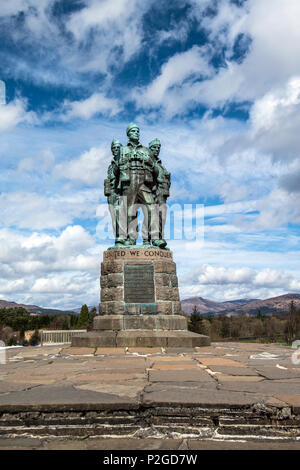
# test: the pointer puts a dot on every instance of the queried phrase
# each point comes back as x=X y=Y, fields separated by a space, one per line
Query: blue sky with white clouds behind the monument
x=218 y=81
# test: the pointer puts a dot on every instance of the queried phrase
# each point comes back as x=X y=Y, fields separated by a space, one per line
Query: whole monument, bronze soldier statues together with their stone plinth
x=139 y=301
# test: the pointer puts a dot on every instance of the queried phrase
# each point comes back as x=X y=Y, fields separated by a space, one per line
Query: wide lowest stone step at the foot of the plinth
x=140 y=338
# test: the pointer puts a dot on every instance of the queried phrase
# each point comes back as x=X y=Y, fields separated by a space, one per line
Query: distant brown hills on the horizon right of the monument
x=274 y=305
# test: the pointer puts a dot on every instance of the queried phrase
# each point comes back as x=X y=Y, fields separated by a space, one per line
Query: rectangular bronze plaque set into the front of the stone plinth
x=139 y=283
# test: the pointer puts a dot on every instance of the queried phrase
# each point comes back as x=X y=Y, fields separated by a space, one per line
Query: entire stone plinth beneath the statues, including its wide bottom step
x=140 y=303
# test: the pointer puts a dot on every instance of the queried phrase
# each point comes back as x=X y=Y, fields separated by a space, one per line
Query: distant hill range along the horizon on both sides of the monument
x=274 y=305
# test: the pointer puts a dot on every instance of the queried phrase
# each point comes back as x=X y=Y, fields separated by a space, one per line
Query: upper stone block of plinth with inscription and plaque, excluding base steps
x=139 y=281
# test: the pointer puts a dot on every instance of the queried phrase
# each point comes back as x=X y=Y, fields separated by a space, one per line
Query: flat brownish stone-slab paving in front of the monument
x=229 y=374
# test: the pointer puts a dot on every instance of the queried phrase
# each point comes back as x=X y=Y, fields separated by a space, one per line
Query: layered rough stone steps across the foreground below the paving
x=230 y=423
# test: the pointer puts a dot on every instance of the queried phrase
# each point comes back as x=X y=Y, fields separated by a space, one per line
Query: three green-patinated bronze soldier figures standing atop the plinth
x=137 y=179
